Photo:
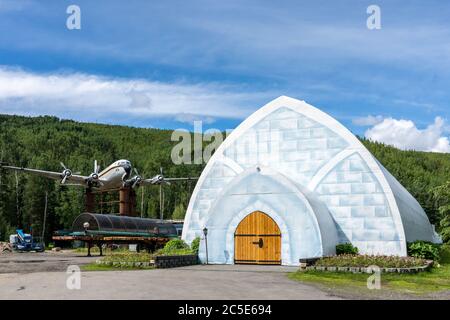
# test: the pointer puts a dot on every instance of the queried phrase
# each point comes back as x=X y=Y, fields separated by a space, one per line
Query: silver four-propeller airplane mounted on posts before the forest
x=117 y=175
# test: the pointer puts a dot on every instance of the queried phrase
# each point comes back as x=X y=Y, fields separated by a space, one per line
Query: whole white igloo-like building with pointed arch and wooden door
x=291 y=182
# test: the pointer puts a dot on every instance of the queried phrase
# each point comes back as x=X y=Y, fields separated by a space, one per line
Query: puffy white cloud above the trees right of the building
x=404 y=134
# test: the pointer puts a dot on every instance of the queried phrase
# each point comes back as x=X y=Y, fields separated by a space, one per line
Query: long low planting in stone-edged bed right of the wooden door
x=350 y=260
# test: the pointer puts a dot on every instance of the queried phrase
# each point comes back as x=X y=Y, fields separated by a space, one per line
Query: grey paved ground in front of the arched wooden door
x=196 y=282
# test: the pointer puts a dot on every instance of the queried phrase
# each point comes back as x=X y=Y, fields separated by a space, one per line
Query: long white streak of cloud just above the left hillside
x=84 y=95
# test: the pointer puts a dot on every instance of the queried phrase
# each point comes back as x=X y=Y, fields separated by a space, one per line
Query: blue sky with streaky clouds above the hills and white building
x=167 y=63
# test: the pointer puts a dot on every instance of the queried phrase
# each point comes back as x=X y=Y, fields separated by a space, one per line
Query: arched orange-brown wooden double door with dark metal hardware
x=257 y=240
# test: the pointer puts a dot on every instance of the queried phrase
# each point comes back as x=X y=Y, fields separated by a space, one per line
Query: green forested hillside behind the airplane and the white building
x=42 y=142
